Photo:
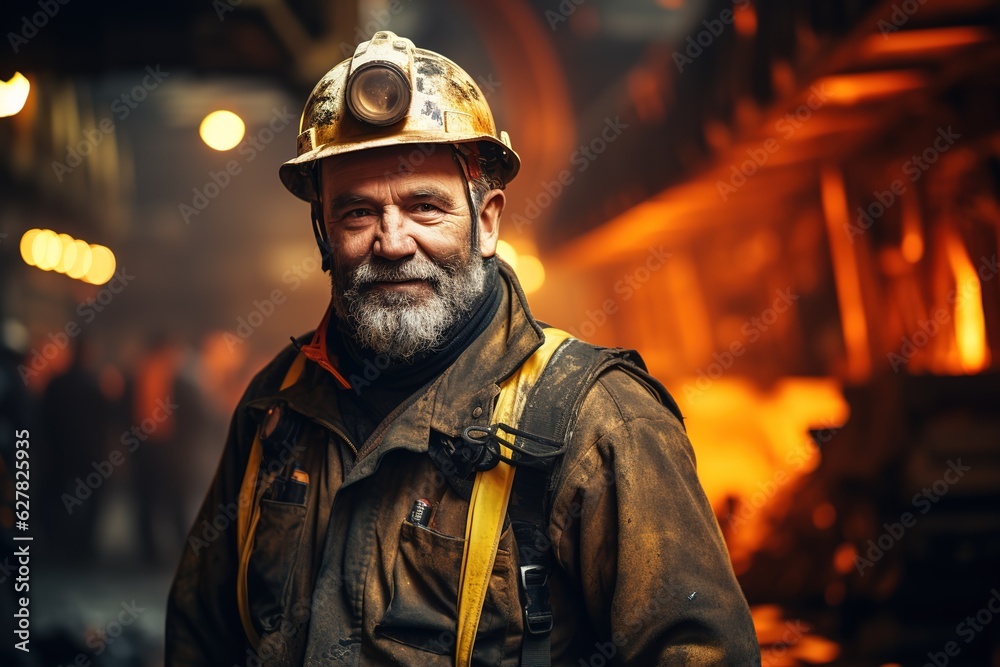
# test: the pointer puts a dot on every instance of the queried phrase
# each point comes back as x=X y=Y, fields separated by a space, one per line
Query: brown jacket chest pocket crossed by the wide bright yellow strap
x=422 y=611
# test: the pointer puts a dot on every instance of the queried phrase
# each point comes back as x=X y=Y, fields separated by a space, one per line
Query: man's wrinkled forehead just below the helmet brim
x=412 y=161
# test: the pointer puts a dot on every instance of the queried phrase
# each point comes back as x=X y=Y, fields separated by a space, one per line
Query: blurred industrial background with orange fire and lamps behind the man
x=791 y=209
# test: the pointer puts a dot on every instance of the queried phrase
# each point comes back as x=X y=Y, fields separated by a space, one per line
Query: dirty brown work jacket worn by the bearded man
x=641 y=575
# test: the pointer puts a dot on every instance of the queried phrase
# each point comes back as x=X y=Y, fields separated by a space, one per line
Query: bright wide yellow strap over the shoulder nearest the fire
x=488 y=505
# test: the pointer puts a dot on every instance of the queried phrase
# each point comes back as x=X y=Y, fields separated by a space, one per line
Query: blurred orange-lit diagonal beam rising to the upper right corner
x=866 y=103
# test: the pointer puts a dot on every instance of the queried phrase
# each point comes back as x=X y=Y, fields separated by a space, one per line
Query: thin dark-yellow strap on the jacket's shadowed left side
x=249 y=513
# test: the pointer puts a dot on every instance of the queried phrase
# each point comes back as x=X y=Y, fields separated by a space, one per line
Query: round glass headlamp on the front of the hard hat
x=378 y=93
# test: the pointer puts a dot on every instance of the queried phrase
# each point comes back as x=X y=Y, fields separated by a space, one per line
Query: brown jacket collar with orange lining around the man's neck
x=461 y=396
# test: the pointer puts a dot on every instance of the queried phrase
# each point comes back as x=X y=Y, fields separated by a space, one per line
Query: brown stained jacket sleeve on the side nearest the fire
x=646 y=549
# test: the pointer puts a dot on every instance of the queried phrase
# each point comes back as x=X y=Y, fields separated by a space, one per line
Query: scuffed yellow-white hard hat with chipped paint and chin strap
x=392 y=93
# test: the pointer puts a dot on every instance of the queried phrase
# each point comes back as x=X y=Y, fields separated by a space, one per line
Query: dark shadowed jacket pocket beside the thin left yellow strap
x=275 y=550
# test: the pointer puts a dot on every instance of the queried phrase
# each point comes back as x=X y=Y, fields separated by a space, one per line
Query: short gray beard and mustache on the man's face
x=400 y=324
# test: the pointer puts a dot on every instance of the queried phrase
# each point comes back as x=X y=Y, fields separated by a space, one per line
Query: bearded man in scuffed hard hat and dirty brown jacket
x=347 y=544
